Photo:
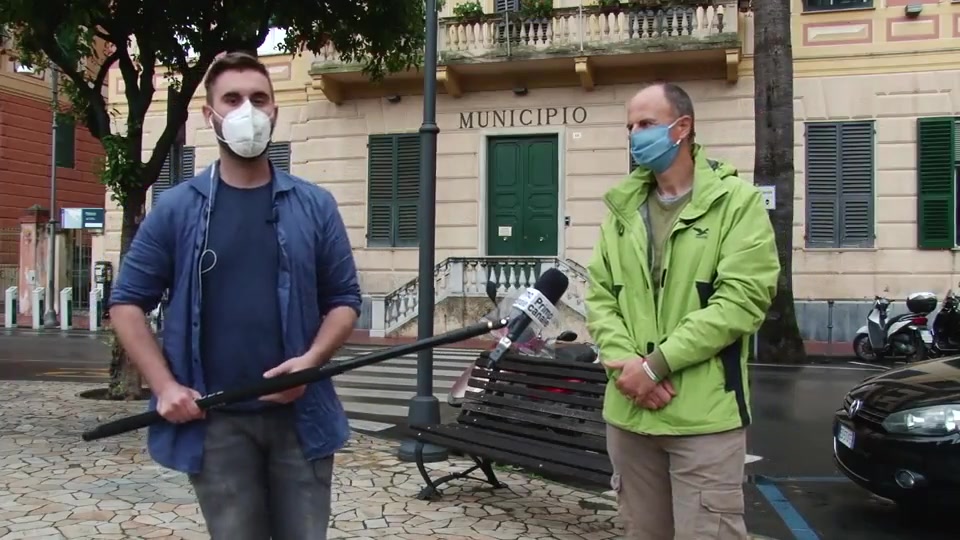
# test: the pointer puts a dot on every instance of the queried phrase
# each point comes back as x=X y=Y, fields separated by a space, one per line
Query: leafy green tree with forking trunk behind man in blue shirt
x=84 y=39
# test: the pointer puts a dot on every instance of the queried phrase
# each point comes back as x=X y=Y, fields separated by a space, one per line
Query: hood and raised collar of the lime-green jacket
x=630 y=193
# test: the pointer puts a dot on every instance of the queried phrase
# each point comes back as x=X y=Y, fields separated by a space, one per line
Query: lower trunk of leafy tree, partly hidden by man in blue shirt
x=125 y=380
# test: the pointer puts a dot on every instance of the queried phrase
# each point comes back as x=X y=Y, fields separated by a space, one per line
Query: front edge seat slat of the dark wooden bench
x=522 y=446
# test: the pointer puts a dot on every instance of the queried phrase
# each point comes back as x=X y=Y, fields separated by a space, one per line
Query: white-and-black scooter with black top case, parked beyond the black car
x=905 y=335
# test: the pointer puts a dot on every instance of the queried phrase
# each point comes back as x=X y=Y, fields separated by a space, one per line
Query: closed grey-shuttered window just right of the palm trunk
x=839 y=194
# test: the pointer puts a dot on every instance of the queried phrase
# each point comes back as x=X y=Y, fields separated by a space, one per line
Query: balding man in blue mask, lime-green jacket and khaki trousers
x=673 y=335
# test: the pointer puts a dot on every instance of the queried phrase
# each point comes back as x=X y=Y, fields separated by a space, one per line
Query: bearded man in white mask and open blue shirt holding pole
x=262 y=281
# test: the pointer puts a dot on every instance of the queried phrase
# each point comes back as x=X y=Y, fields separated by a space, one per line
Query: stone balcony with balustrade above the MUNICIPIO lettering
x=572 y=47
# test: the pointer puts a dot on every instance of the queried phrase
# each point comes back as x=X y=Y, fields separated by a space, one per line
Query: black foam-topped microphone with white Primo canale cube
x=537 y=305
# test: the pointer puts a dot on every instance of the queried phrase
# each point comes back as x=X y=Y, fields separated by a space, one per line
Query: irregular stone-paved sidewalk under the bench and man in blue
x=54 y=485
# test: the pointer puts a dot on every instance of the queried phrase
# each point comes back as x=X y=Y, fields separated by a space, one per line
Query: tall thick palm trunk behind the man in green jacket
x=779 y=339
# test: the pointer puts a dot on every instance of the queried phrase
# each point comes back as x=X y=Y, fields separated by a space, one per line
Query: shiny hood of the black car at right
x=933 y=382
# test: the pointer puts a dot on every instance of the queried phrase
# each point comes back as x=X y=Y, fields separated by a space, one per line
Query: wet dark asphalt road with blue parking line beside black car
x=793 y=492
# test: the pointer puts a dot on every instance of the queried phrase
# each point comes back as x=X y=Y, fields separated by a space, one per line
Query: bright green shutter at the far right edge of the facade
x=936 y=141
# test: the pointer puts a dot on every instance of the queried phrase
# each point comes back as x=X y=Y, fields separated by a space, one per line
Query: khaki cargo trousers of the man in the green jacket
x=679 y=487
